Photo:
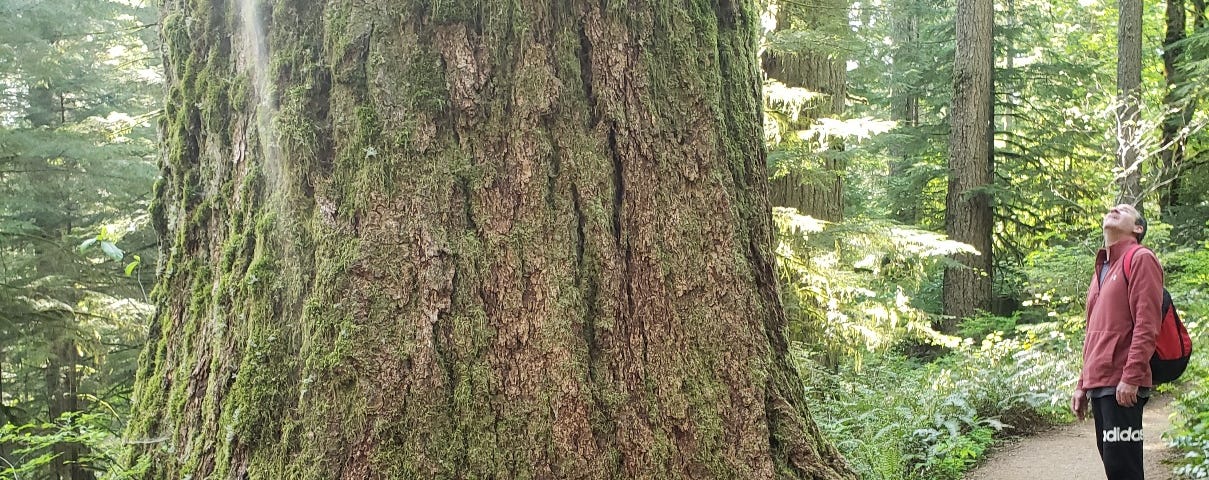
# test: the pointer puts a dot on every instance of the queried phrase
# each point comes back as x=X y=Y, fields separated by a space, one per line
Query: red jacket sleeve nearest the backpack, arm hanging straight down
x=1147 y=305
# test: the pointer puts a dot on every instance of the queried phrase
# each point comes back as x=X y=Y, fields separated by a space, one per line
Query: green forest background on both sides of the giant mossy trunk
x=912 y=372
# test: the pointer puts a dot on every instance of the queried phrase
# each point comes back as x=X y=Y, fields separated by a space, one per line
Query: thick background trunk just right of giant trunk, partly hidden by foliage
x=820 y=195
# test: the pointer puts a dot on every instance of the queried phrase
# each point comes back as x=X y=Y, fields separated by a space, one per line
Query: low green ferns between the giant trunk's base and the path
x=901 y=419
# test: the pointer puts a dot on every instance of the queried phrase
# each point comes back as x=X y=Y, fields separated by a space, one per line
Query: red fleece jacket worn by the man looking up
x=1123 y=320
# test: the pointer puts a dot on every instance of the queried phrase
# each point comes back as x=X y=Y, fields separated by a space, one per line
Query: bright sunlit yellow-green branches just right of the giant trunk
x=857 y=287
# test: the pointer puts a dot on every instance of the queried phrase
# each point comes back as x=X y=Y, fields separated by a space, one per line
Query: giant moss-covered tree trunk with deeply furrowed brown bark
x=467 y=240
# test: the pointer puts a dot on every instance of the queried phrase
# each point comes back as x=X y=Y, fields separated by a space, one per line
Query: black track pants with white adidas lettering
x=1119 y=438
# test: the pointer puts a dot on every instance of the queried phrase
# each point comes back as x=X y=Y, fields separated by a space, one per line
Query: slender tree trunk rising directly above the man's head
x=1129 y=97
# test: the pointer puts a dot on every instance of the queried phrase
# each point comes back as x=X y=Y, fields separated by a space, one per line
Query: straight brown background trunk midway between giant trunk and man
x=968 y=217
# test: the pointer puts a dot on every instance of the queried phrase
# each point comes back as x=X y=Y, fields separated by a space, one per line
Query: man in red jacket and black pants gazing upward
x=1123 y=325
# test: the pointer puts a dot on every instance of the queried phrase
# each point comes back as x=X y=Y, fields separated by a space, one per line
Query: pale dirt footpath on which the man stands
x=1068 y=453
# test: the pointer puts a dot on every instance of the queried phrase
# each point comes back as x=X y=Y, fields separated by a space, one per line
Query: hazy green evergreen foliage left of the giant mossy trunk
x=78 y=102
